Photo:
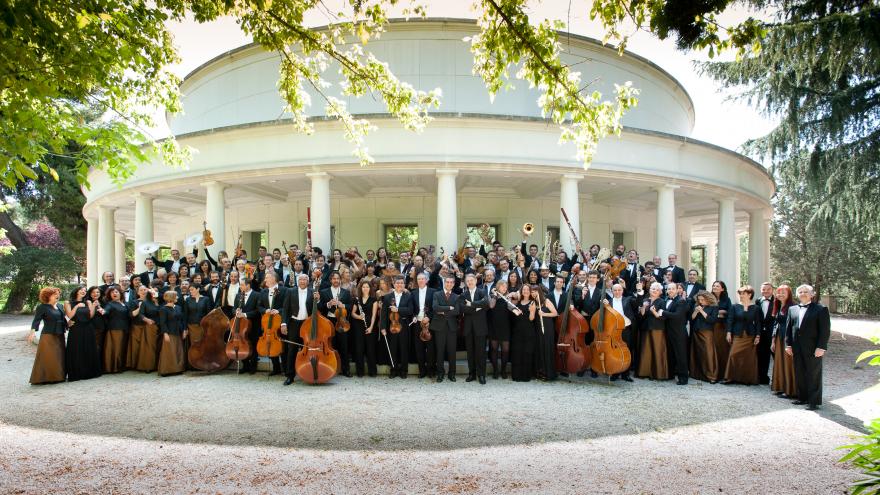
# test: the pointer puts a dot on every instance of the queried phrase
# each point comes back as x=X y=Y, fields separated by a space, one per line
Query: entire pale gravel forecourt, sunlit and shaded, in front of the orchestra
x=137 y=433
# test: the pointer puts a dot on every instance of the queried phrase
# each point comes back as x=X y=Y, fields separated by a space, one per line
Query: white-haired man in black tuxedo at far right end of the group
x=806 y=339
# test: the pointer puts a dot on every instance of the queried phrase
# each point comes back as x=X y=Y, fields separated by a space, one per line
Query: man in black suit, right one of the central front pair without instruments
x=473 y=303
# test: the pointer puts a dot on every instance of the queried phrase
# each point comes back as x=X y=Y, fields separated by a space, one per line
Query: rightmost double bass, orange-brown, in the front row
x=611 y=354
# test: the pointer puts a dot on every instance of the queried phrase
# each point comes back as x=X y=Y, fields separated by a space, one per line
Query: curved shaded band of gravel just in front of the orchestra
x=383 y=414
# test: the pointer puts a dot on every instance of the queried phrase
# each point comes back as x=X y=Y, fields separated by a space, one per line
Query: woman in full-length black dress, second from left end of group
x=83 y=360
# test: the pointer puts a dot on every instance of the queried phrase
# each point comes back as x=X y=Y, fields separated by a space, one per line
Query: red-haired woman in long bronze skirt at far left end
x=49 y=361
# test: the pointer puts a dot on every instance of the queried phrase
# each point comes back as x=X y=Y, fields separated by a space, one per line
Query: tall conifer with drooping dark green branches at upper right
x=818 y=72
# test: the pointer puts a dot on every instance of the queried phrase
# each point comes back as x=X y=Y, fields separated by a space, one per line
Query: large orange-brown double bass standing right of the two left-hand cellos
x=317 y=361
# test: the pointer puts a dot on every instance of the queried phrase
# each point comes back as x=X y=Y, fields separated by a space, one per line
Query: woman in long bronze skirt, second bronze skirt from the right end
x=743 y=333
